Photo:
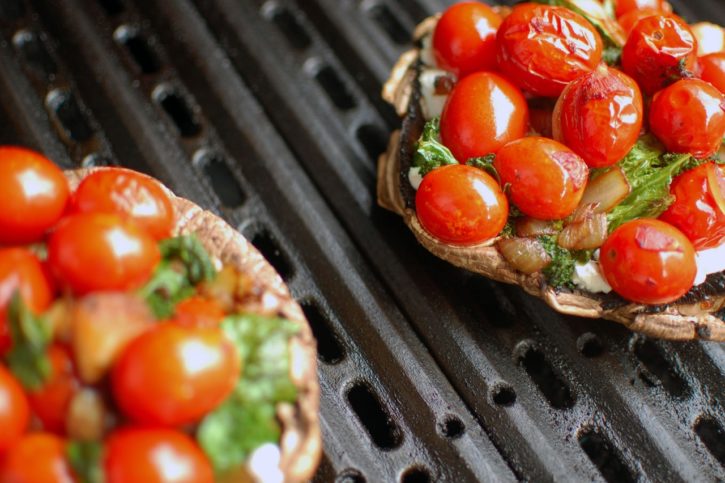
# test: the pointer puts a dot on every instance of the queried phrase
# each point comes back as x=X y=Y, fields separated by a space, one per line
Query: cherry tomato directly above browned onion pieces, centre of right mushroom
x=545 y=179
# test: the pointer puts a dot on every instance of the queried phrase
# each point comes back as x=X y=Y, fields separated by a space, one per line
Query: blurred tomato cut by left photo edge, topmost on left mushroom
x=35 y=193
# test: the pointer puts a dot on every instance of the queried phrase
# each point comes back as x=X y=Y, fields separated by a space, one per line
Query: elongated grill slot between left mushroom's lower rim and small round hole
x=371 y=413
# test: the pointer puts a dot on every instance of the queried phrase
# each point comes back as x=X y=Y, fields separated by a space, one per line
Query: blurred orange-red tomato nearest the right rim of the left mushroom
x=173 y=375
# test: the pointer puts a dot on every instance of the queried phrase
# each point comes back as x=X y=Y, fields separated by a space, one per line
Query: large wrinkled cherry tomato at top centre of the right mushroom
x=543 y=48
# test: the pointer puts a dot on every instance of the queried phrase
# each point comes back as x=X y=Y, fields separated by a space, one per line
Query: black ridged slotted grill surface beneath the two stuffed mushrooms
x=268 y=113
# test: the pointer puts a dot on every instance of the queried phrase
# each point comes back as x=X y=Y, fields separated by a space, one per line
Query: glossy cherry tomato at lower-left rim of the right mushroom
x=461 y=205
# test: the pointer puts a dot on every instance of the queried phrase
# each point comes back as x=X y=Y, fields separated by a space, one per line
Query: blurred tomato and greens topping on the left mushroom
x=126 y=355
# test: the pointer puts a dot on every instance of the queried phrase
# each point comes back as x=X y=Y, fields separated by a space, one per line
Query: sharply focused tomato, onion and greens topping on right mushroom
x=581 y=137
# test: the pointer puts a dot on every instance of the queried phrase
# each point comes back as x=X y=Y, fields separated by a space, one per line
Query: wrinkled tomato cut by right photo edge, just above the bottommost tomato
x=699 y=206
